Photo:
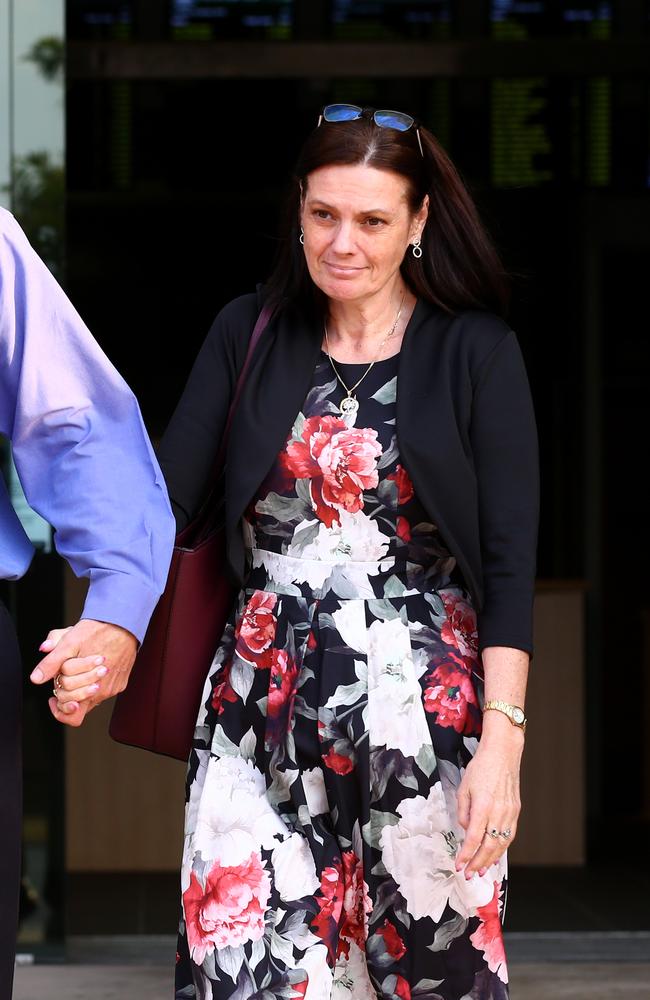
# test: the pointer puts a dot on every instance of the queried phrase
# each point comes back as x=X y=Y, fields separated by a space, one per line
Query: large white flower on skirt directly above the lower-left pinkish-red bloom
x=235 y=817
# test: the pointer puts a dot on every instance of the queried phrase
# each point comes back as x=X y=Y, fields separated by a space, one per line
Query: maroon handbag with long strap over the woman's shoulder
x=158 y=709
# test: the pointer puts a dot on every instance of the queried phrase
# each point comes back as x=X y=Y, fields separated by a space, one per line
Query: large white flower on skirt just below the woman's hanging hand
x=420 y=854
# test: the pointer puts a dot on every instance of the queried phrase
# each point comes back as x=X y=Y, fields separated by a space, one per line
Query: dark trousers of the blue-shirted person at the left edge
x=10 y=797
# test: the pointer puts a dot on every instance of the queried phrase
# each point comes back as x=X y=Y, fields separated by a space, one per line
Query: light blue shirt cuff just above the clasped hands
x=120 y=600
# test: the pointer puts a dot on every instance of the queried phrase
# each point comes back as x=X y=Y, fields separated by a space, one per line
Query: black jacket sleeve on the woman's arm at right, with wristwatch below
x=505 y=451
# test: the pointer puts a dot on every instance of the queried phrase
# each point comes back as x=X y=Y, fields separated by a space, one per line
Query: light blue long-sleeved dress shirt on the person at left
x=80 y=447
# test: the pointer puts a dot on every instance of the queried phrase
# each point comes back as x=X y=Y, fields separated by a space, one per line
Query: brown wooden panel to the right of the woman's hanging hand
x=552 y=828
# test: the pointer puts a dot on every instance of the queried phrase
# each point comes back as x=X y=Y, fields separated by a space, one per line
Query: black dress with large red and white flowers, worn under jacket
x=341 y=707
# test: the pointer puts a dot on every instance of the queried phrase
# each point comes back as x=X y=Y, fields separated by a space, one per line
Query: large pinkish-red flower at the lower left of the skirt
x=228 y=909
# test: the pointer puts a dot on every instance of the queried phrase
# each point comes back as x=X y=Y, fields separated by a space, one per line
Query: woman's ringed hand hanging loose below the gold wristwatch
x=488 y=797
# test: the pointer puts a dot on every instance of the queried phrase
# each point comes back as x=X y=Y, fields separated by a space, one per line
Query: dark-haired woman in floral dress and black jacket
x=345 y=829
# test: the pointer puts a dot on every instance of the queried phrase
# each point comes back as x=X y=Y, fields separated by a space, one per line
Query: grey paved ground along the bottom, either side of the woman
x=561 y=981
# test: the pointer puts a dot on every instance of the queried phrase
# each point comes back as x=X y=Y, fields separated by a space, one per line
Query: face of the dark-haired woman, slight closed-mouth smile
x=357 y=226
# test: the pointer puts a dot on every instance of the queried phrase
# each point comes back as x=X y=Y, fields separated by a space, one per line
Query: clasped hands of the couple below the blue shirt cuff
x=89 y=662
